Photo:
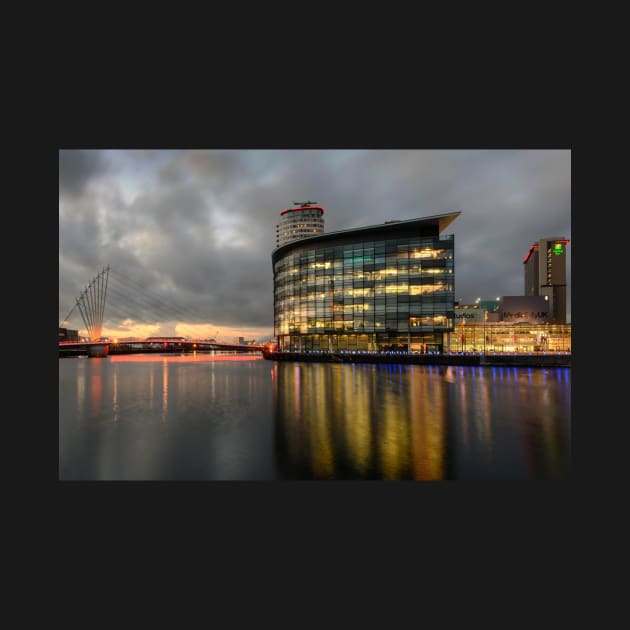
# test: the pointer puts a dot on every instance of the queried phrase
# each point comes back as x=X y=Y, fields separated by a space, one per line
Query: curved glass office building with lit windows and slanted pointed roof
x=380 y=287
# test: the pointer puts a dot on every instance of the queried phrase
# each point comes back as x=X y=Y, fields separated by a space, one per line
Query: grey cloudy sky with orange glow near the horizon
x=188 y=234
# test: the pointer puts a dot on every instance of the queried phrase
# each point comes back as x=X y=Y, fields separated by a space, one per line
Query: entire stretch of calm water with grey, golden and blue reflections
x=207 y=417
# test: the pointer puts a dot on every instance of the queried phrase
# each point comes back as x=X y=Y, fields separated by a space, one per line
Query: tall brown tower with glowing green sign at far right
x=546 y=275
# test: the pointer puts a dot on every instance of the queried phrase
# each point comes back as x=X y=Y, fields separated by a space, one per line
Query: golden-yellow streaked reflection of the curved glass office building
x=359 y=422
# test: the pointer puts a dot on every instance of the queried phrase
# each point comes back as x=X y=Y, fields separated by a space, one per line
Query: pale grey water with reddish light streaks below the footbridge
x=165 y=417
